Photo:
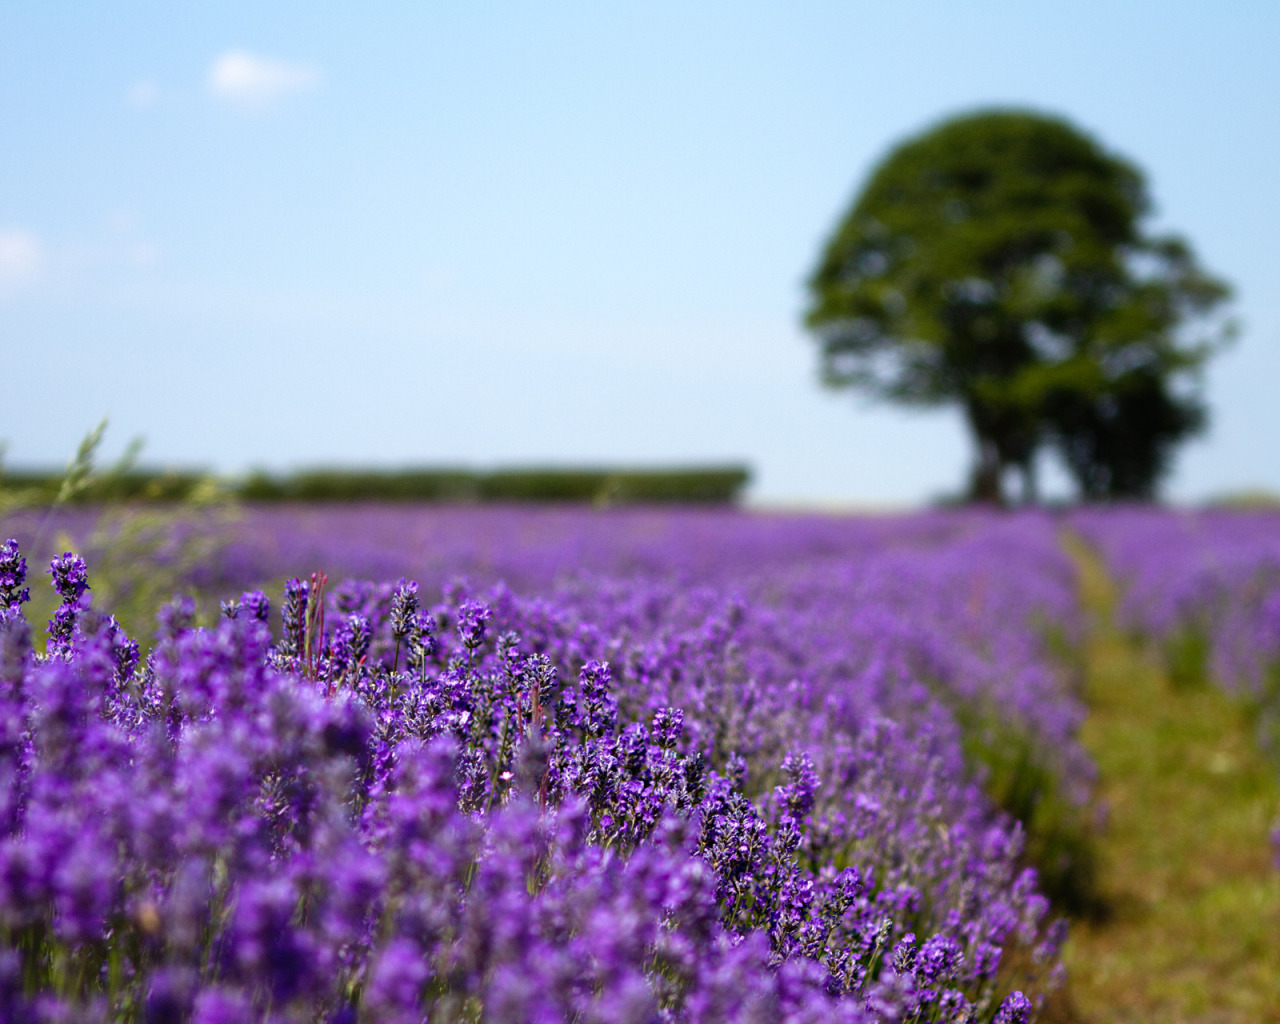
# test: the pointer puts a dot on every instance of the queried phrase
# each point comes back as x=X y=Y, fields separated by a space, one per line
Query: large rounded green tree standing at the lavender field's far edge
x=1000 y=262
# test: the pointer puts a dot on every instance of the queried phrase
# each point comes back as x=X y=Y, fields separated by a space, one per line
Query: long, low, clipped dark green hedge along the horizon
x=714 y=486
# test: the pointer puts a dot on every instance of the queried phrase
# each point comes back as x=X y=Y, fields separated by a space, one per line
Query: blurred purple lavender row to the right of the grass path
x=1205 y=586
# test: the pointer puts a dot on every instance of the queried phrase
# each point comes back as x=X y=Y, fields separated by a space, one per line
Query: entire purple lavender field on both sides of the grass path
x=405 y=764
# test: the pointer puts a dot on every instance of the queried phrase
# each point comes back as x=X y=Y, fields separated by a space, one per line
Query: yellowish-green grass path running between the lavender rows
x=1192 y=924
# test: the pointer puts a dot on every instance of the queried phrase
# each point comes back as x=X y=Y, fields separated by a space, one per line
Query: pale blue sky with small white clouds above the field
x=282 y=235
